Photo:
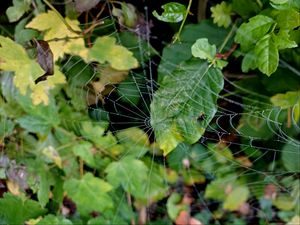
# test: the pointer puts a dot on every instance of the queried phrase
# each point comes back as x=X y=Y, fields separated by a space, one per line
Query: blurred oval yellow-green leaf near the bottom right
x=236 y=198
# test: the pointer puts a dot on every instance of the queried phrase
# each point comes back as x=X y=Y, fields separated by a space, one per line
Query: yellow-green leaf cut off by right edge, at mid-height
x=287 y=100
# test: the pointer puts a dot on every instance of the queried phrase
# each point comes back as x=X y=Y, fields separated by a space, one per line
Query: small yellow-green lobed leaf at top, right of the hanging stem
x=221 y=14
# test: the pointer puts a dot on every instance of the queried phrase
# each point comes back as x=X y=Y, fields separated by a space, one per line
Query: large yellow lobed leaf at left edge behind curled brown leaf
x=14 y=58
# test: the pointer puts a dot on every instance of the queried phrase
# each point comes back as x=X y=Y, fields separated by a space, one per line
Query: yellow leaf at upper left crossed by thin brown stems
x=67 y=41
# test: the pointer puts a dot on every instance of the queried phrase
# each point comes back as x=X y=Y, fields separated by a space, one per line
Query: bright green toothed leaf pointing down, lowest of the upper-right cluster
x=267 y=55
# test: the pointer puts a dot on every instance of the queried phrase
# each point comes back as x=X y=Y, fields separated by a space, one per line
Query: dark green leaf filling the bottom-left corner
x=14 y=210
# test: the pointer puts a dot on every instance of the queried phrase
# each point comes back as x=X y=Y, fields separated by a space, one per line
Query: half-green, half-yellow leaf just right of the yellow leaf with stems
x=105 y=49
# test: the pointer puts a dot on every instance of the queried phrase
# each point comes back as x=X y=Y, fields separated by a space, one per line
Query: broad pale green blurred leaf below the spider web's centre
x=130 y=173
